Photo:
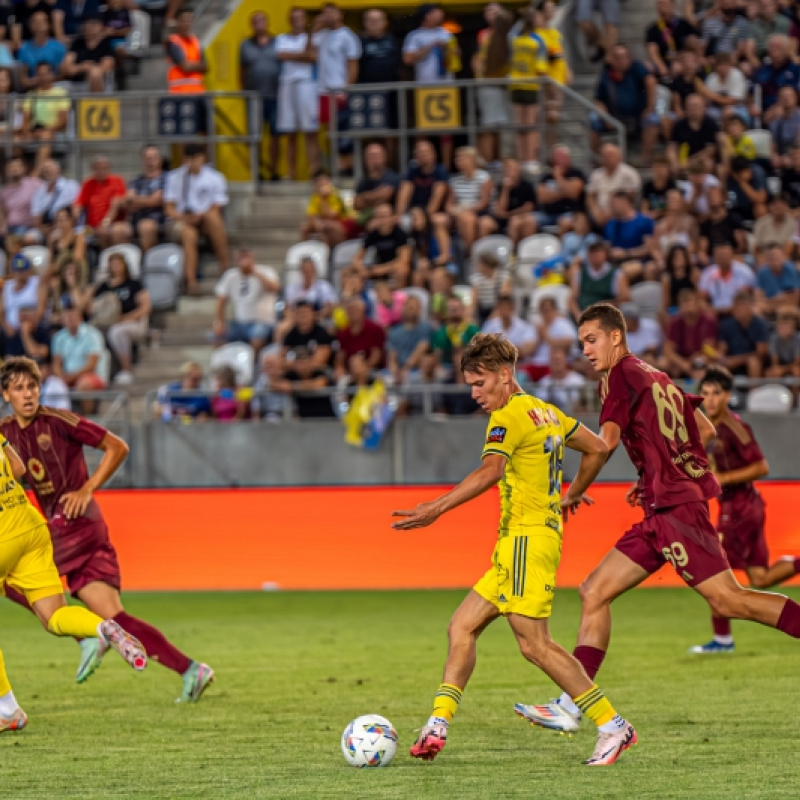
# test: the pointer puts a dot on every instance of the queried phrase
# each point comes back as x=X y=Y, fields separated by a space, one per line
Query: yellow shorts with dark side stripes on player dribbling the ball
x=522 y=579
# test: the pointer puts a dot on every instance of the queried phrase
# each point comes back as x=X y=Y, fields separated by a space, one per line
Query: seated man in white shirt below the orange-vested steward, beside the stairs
x=194 y=198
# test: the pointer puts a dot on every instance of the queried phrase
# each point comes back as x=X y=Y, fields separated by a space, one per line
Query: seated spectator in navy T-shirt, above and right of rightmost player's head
x=743 y=338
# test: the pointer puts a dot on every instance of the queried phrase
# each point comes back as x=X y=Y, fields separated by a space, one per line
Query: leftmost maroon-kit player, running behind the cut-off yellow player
x=50 y=443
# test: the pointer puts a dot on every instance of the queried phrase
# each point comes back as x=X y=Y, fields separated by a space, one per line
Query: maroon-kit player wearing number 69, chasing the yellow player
x=663 y=431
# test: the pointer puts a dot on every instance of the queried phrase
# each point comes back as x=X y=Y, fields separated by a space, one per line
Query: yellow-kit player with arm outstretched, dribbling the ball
x=524 y=449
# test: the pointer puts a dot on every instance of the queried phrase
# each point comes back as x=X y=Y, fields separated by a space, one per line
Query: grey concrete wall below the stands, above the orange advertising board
x=416 y=450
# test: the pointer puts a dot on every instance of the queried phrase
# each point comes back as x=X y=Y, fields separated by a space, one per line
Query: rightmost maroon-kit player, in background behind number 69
x=737 y=461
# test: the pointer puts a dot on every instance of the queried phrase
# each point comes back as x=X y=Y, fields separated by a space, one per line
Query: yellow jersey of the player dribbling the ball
x=531 y=434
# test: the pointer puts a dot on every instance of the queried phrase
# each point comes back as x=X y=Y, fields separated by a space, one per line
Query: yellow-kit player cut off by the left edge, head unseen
x=26 y=564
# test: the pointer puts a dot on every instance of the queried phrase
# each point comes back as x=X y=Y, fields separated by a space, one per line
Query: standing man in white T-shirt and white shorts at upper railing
x=298 y=110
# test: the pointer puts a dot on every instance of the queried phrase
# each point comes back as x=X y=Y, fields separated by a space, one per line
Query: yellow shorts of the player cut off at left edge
x=26 y=564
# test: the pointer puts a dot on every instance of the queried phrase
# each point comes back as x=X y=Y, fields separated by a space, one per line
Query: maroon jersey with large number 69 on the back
x=659 y=432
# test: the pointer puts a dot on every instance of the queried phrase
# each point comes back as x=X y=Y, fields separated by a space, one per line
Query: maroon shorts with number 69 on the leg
x=682 y=536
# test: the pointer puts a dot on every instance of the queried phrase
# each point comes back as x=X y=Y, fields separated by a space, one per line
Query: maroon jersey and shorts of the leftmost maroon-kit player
x=51 y=447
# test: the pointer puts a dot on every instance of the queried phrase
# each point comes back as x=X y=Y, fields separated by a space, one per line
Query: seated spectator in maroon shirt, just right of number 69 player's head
x=691 y=343
